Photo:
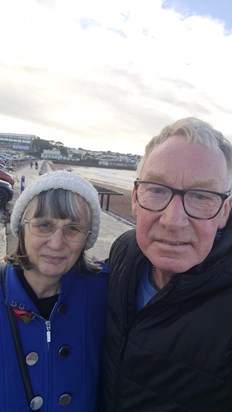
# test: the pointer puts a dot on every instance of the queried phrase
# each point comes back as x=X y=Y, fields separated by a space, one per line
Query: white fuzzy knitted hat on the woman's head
x=60 y=180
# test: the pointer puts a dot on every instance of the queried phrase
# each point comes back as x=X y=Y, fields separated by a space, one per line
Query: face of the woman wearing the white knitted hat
x=52 y=256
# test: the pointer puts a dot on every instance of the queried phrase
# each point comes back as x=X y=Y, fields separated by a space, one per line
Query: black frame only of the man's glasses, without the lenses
x=181 y=192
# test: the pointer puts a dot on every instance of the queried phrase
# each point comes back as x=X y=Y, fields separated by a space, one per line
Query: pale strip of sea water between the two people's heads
x=115 y=177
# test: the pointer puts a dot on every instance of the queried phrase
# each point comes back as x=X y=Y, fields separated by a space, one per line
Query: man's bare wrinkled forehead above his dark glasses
x=177 y=162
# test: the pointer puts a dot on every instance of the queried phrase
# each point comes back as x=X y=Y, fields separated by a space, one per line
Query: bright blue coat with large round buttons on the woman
x=66 y=351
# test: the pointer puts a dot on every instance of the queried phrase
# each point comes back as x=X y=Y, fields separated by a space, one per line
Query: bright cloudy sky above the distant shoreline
x=110 y=74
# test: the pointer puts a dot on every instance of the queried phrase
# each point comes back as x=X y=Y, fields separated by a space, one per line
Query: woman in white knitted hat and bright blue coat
x=57 y=297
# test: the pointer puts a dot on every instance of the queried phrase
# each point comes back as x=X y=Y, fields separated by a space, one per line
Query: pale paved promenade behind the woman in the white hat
x=111 y=226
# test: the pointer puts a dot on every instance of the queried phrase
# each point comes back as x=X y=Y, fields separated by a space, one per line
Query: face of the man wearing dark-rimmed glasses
x=171 y=240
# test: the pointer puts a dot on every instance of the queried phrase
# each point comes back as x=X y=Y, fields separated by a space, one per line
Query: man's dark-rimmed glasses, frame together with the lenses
x=199 y=204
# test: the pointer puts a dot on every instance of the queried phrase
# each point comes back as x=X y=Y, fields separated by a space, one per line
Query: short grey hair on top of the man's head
x=195 y=130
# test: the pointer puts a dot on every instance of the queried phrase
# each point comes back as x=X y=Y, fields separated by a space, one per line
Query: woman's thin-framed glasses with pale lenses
x=46 y=227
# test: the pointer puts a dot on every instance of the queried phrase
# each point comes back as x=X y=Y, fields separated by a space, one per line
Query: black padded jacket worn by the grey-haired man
x=174 y=355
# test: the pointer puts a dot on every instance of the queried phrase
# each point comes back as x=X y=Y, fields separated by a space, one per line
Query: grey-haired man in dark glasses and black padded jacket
x=169 y=336
